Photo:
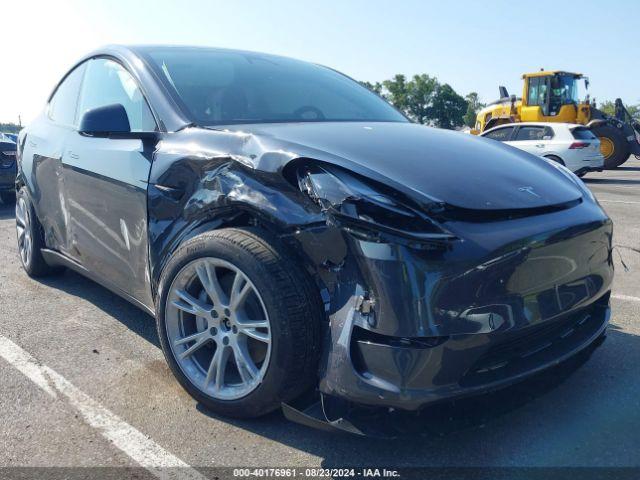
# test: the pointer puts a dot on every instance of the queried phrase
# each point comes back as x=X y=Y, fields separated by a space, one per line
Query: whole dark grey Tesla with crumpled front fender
x=291 y=232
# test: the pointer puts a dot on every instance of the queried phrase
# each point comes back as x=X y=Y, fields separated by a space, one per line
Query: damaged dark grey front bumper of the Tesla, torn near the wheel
x=410 y=327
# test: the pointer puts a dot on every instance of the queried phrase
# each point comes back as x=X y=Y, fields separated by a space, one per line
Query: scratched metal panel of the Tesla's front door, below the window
x=106 y=193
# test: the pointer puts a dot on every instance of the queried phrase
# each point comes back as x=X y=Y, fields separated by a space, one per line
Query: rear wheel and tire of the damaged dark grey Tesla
x=31 y=238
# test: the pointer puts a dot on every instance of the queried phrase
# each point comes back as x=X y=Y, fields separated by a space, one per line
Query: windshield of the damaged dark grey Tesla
x=218 y=87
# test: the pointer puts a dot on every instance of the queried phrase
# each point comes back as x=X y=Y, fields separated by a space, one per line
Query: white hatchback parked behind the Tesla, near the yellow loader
x=574 y=146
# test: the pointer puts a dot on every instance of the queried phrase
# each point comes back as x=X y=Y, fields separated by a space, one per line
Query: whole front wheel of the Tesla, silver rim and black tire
x=239 y=322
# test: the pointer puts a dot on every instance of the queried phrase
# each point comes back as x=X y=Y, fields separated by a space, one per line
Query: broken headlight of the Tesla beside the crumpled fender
x=354 y=204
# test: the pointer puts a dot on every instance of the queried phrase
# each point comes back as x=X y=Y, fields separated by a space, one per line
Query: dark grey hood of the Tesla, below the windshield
x=462 y=170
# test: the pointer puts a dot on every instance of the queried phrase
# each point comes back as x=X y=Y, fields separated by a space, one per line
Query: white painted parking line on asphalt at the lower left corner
x=131 y=441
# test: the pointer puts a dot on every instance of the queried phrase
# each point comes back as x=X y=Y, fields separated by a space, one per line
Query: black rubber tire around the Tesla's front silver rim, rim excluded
x=293 y=305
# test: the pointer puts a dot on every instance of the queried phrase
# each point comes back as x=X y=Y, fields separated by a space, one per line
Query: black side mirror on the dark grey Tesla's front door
x=110 y=121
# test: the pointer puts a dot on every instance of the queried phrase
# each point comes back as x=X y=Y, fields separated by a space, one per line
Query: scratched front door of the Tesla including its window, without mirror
x=106 y=185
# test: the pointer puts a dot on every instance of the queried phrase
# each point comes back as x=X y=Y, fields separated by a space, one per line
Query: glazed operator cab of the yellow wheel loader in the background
x=550 y=97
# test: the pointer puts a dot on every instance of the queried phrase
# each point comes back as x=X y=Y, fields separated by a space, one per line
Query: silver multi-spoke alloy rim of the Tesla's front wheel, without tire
x=218 y=328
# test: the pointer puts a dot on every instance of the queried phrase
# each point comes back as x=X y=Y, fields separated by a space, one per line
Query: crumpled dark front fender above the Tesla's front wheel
x=197 y=186
